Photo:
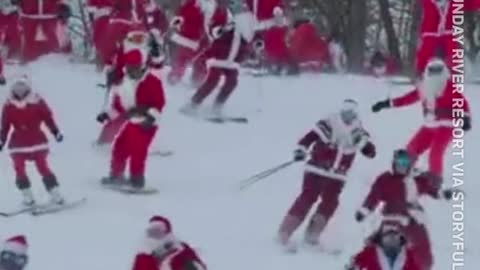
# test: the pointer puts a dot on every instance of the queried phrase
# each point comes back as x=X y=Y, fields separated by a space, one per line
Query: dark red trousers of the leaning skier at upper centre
x=210 y=83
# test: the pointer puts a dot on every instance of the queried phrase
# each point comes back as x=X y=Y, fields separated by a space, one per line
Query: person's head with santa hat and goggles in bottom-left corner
x=14 y=253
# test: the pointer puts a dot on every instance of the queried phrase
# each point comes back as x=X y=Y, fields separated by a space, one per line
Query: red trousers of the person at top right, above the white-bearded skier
x=427 y=49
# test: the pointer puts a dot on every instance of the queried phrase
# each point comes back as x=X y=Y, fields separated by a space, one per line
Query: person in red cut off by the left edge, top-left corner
x=9 y=28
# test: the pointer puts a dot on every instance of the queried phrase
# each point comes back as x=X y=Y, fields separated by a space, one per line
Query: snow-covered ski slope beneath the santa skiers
x=232 y=230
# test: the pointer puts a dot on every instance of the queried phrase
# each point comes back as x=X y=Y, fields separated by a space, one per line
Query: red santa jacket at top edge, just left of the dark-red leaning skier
x=190 y=25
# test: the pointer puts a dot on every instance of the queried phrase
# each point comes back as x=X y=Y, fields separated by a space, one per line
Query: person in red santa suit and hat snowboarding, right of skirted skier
x=140 y=99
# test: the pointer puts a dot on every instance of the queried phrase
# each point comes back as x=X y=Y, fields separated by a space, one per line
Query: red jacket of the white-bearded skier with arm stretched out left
x=439 y=112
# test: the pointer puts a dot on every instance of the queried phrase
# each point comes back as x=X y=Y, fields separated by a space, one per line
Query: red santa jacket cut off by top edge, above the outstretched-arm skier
x=437 y=19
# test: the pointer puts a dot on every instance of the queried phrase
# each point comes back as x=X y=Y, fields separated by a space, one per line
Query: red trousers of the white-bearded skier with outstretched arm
x=437 y=140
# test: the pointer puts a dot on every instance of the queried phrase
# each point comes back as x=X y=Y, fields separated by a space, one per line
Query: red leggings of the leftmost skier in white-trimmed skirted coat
x=38 y=157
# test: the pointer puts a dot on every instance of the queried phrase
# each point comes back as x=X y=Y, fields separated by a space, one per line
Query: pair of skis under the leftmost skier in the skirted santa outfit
x=44 y=209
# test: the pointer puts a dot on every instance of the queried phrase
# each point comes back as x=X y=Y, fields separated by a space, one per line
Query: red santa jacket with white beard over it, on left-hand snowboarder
x=146 y=93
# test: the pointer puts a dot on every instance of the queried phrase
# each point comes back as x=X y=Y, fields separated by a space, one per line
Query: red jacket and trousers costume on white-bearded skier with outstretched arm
x=438 y=102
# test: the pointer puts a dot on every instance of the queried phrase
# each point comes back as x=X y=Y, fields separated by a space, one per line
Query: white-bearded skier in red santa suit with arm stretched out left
x=439 y=99
